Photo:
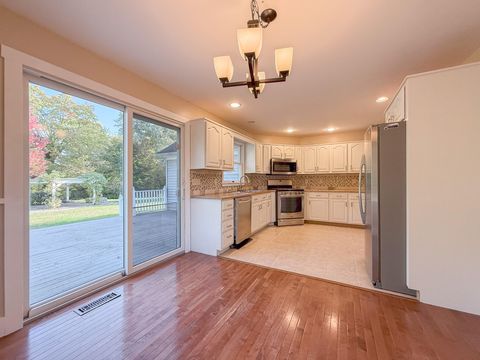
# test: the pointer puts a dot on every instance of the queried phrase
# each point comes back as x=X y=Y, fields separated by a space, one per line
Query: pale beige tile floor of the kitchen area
x=327 y=252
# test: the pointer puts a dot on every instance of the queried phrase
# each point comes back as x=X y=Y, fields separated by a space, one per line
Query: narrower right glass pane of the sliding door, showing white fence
x=156 y=189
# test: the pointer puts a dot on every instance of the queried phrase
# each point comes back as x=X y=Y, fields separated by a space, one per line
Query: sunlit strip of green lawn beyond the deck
x=61 y=216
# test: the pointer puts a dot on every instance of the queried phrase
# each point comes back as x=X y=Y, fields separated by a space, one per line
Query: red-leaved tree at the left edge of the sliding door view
x=37 y=148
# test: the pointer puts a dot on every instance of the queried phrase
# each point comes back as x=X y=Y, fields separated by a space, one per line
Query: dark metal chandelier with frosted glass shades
x=250 y=45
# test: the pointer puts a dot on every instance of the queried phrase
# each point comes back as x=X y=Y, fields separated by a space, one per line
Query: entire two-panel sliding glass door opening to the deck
x=96 y=168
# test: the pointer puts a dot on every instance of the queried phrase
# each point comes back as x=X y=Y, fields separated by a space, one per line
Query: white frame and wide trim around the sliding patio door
x=16 y=65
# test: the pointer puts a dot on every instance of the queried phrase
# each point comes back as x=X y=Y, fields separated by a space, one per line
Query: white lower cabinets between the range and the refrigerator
x=333 y=207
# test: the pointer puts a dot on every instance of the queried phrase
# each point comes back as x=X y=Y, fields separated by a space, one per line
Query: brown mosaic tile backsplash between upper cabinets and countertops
x=210 y=181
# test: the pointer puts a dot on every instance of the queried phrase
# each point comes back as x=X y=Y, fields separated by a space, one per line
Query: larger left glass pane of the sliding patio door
x=75 y=186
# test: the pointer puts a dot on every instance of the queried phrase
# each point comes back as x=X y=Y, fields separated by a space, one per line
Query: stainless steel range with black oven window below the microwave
x=289 y=202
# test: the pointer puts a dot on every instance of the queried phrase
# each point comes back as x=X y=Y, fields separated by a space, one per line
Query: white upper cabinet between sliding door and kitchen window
x=211 y=146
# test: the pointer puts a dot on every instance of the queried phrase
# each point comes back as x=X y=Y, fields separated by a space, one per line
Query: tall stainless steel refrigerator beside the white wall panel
x=382 y=193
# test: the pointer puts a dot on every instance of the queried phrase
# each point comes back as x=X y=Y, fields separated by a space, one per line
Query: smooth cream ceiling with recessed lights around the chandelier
x=346 y=52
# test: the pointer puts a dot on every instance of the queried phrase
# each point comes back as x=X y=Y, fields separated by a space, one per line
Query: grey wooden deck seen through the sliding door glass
x=68 y=256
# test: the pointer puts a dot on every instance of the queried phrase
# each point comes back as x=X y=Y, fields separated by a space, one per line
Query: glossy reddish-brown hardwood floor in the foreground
x=201 y=307
